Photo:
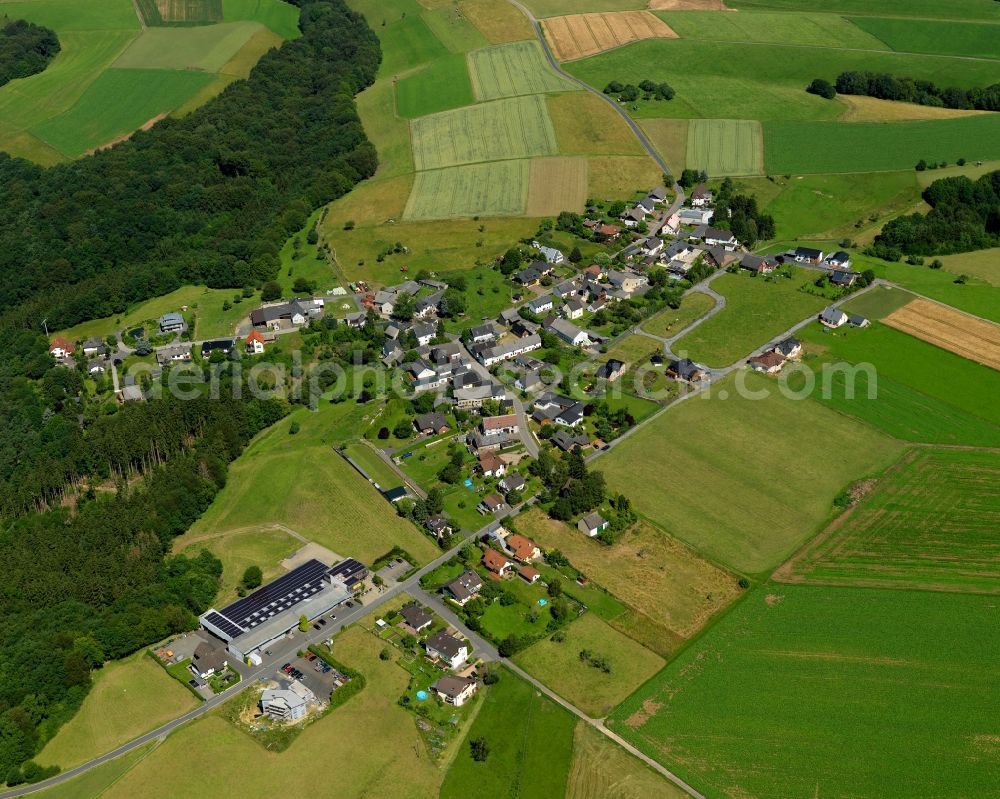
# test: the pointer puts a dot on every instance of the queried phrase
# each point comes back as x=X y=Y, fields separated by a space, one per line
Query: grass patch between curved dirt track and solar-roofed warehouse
x=238 y=549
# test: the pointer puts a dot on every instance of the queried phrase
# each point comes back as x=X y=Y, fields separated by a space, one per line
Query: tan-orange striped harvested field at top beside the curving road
x=582 y=35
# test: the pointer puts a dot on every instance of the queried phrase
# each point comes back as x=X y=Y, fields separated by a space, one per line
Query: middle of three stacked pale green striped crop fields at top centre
x=518 y=127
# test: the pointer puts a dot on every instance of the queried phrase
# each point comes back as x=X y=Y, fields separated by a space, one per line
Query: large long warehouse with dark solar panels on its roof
x=251 y=623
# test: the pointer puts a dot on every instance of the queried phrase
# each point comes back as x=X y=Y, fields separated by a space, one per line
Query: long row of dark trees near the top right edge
x=907 y=90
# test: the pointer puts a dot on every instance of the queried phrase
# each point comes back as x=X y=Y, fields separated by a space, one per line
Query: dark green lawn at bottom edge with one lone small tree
x=530 y=740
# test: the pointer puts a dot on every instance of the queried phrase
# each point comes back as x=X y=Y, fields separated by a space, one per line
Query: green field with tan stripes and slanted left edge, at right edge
x=931 y=523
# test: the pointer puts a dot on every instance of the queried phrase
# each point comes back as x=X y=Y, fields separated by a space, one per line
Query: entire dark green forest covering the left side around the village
x=89 y=505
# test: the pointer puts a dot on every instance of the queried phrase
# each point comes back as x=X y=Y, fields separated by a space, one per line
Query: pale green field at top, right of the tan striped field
x=806 y=29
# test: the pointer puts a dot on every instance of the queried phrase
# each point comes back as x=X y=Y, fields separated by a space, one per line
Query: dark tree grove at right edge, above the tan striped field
x=964 y=216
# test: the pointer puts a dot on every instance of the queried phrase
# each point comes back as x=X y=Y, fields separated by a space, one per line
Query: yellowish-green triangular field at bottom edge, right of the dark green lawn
x=602 y=769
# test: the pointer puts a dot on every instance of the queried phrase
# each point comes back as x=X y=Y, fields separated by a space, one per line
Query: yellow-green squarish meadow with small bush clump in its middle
x=559 y=665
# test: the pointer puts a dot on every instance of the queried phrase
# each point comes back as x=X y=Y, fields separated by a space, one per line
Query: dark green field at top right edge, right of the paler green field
x=925 y=36
